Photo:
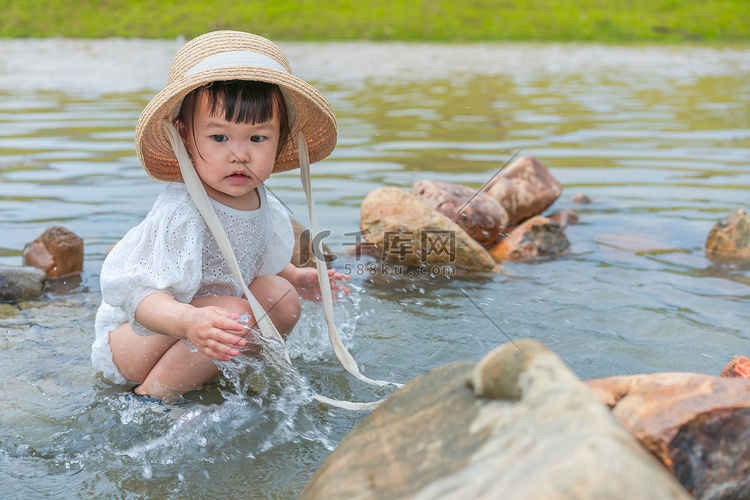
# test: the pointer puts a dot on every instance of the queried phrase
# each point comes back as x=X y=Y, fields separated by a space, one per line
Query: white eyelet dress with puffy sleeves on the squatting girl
x=173 y=251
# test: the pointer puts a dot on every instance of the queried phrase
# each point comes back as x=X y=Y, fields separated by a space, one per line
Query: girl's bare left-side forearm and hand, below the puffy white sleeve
x=207 y=328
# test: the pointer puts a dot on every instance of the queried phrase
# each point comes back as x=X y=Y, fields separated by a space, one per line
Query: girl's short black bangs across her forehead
x=245 y=102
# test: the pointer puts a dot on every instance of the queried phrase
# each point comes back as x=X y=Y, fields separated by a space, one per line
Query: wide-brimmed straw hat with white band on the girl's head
x=233 y=55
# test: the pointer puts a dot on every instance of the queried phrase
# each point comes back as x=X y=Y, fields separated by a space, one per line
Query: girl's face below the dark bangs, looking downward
x=232 y=159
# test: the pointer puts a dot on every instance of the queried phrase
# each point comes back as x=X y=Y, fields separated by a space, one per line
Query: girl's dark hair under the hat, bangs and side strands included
x=242 y=102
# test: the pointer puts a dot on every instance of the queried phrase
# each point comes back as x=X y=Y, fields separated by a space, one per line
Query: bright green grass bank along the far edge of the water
x=417 y=20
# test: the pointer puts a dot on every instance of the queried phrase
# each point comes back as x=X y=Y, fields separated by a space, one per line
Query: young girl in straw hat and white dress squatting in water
x=238 y=110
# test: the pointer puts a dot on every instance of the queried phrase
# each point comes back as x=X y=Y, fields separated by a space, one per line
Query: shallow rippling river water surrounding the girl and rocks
x=658 y=137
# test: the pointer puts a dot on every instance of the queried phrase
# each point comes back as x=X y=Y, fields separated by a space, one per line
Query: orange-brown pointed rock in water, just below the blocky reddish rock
x=536 y=237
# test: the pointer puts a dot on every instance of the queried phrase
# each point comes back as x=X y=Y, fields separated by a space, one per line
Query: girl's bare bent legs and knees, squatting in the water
x=166 y=368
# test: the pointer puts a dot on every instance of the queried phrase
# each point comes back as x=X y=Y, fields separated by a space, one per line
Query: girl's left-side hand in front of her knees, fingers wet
x=214 y=332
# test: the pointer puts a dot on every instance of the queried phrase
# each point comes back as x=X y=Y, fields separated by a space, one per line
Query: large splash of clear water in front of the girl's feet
x=266 y=404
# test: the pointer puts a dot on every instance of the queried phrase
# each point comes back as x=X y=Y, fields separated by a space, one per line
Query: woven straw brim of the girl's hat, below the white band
x=314 y=118
